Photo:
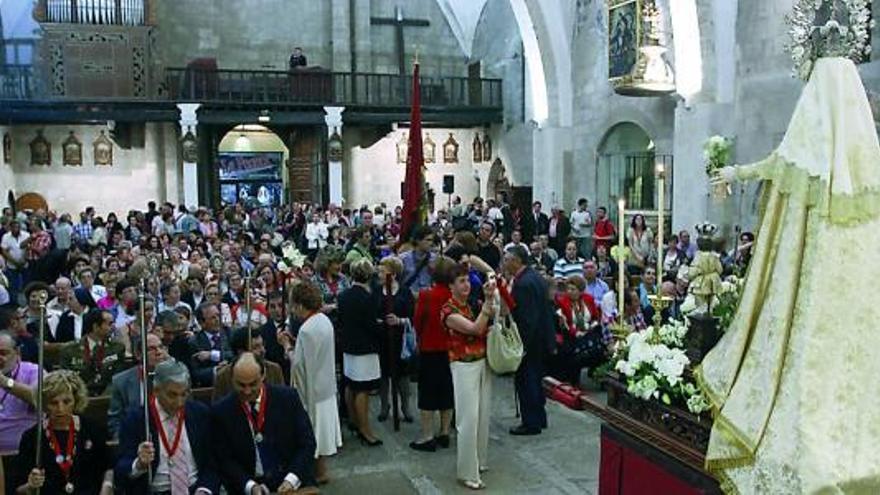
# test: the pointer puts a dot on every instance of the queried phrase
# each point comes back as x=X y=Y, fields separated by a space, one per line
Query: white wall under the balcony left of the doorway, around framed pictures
x=137 y=175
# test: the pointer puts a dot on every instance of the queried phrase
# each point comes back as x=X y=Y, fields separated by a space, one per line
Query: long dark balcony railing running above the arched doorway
x=325 y=88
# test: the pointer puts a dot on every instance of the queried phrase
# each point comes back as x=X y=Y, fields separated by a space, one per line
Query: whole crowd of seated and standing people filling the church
x=293 y=350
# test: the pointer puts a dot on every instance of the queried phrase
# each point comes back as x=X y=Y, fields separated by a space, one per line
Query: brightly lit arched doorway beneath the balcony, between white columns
x=252 y=166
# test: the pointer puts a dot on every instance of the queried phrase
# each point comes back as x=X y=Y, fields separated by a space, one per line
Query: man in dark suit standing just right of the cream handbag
x=533 y=317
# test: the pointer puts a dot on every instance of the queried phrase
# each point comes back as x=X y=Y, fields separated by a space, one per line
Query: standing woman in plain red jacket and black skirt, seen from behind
x=435 y=377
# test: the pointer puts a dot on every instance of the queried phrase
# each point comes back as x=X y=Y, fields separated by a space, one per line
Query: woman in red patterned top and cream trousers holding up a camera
x=470 y=374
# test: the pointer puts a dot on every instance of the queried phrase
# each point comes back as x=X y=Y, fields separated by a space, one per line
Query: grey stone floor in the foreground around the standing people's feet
x=563 y=460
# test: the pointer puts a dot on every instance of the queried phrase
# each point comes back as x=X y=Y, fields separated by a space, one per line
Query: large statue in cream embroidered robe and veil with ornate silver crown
x=795 y=382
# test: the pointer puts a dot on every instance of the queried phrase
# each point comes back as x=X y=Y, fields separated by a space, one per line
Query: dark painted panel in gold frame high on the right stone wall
x=624 y=26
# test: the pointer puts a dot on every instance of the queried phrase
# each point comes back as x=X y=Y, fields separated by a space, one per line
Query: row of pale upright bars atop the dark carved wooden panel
x=102 y=12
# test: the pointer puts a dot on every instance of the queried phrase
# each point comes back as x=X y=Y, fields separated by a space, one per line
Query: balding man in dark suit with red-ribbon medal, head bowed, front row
x=264 y=434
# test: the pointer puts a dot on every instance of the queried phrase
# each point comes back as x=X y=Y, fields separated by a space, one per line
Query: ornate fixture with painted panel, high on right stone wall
x=636 y=54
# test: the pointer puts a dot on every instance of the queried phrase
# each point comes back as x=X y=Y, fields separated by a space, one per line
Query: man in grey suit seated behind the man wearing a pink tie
x=126 y=388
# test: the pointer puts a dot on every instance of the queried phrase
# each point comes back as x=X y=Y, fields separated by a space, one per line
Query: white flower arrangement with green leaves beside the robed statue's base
x=653 y=363
